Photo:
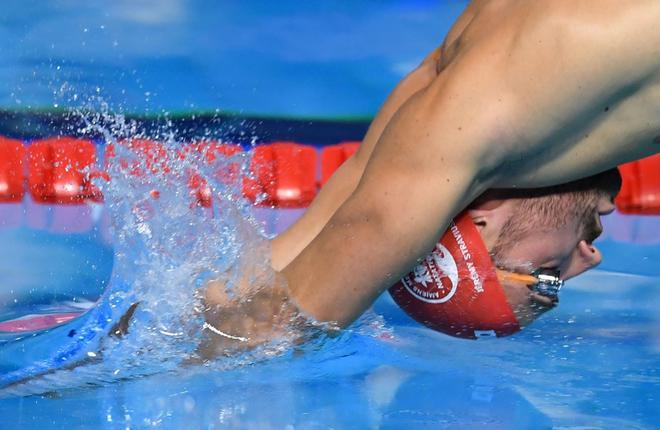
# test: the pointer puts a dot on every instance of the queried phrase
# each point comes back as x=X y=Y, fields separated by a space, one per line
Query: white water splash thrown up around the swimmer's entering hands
x=167 y=248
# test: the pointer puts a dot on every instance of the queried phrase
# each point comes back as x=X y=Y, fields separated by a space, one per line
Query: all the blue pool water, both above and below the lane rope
x=592 y=363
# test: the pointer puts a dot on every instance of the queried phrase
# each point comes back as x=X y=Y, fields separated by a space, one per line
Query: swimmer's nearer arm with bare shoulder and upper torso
x=526 y=94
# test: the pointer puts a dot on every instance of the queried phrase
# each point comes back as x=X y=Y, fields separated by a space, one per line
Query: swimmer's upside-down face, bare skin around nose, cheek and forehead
x=558 y=249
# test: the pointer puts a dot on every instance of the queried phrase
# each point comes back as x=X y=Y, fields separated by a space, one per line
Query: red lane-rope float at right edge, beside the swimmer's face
x=640 y=192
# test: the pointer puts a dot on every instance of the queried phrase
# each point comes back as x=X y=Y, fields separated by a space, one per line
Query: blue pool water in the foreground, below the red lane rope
x=591 y=363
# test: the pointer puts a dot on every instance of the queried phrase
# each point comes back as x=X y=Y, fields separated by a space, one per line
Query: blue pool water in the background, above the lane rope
x=287 y=58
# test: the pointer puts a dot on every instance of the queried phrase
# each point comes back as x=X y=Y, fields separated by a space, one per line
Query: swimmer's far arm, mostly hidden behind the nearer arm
x=288 y=245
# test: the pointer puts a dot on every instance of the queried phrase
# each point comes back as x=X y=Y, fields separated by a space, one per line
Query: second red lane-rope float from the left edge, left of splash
x=56 y=170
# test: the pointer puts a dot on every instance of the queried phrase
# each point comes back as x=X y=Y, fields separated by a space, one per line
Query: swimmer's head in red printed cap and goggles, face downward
x=547 y=233
